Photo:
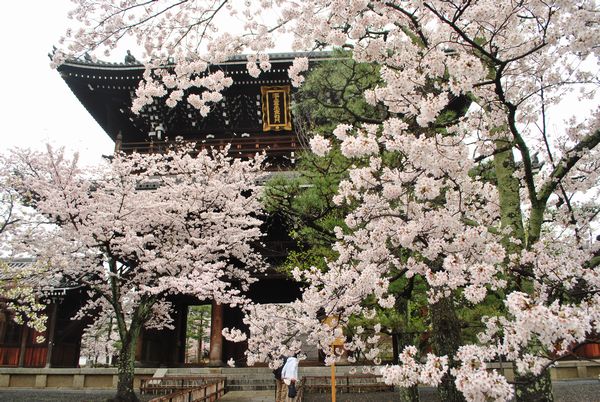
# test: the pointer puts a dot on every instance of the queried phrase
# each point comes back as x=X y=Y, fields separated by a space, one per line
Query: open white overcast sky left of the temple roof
x=37 y=106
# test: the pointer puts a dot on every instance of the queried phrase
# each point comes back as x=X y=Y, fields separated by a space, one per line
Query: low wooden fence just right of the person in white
x=346 y=383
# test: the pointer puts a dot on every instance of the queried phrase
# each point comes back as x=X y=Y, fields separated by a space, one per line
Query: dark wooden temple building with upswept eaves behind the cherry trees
x=254 y=116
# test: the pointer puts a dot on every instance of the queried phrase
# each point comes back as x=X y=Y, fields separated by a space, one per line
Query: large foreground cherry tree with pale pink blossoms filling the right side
x=499 y=200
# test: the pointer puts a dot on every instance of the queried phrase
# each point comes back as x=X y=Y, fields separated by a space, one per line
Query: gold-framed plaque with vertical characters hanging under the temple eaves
x=277 y=114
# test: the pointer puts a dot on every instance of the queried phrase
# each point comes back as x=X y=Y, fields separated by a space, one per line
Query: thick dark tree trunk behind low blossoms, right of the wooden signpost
x=446 y=339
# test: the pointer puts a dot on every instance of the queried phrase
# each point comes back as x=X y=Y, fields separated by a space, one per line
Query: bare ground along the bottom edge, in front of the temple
x=564 y=391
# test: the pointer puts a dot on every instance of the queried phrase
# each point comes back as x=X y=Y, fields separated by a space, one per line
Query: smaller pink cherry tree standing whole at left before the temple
x=143 y=228
